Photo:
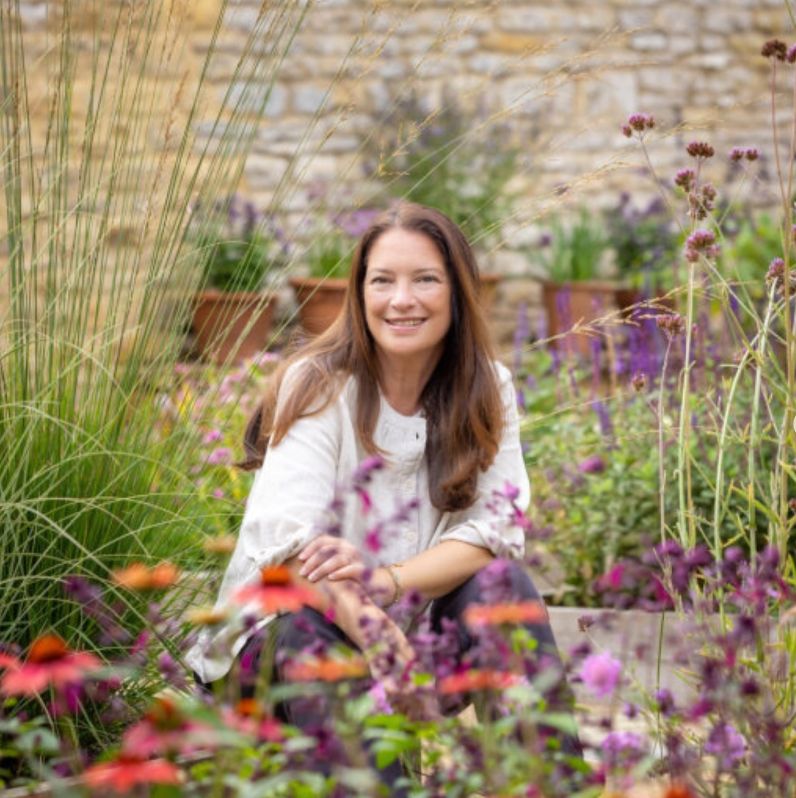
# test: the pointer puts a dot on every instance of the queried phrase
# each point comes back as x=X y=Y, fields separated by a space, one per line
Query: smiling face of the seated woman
x=407 y=294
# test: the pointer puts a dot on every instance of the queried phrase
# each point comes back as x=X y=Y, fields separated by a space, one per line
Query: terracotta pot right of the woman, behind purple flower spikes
x=568 y=303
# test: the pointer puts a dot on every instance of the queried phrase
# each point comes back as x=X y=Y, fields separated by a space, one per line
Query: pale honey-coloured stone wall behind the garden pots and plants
x=560 y=77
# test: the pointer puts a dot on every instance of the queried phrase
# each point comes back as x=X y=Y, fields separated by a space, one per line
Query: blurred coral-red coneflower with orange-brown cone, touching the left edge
x=49 y=663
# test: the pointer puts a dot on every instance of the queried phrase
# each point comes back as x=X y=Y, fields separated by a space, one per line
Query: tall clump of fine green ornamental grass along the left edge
x=99 y=272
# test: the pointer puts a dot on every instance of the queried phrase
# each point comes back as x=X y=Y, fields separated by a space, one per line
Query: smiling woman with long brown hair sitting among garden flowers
x=406 y=374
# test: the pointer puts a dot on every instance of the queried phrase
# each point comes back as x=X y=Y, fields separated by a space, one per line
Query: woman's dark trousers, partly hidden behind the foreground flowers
x=308 y=630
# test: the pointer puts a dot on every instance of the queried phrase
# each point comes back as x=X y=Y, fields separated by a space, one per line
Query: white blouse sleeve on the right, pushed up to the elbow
x=490 y=522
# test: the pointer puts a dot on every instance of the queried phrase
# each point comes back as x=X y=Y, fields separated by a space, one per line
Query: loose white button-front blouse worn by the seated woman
x=293 y=493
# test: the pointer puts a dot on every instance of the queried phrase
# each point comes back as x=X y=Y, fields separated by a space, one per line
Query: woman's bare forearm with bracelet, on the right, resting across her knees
x=437 y=570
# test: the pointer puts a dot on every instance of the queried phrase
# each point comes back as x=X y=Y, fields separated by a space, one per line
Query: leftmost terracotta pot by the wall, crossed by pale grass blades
x=231 y=324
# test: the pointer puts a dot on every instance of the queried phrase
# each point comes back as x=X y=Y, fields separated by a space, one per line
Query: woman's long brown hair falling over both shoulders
x=461 y=400
